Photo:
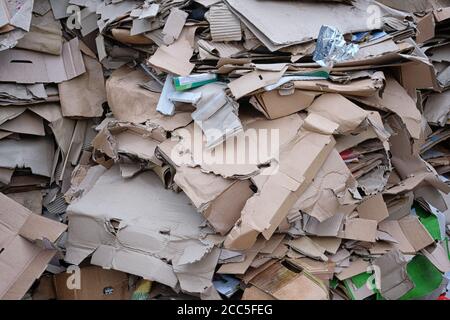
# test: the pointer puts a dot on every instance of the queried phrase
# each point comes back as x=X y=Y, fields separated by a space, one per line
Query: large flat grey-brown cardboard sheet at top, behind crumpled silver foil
x=295 y=21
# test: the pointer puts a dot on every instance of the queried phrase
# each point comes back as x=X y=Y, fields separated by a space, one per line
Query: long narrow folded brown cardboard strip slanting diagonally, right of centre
x=264 y=212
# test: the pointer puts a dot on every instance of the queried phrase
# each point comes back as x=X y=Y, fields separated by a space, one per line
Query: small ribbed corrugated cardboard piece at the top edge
x=225 y=26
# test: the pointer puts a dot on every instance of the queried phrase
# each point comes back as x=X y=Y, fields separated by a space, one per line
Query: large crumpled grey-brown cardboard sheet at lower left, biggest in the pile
x=92 y=230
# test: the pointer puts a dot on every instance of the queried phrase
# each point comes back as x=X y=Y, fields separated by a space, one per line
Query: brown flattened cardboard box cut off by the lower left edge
x=22 y=260
